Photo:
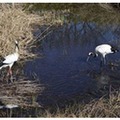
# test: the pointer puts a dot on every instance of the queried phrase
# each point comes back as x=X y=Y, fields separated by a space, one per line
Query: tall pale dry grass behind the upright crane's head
x=17 y=24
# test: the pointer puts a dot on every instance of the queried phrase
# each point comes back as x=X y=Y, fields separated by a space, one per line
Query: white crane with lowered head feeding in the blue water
x=102 y=50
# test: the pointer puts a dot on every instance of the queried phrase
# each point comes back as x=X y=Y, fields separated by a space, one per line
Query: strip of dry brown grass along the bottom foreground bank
x=103 y=107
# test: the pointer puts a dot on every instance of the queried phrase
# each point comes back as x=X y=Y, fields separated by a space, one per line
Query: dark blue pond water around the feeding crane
x=63 y=68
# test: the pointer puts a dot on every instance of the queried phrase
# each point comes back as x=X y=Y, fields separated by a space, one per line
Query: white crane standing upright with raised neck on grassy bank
x=10 y=59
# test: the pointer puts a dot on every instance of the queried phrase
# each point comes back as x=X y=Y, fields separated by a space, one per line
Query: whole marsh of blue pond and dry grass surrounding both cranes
x=54 y=47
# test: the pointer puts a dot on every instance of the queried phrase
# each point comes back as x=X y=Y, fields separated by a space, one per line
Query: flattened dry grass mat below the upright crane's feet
x=22 y=92
